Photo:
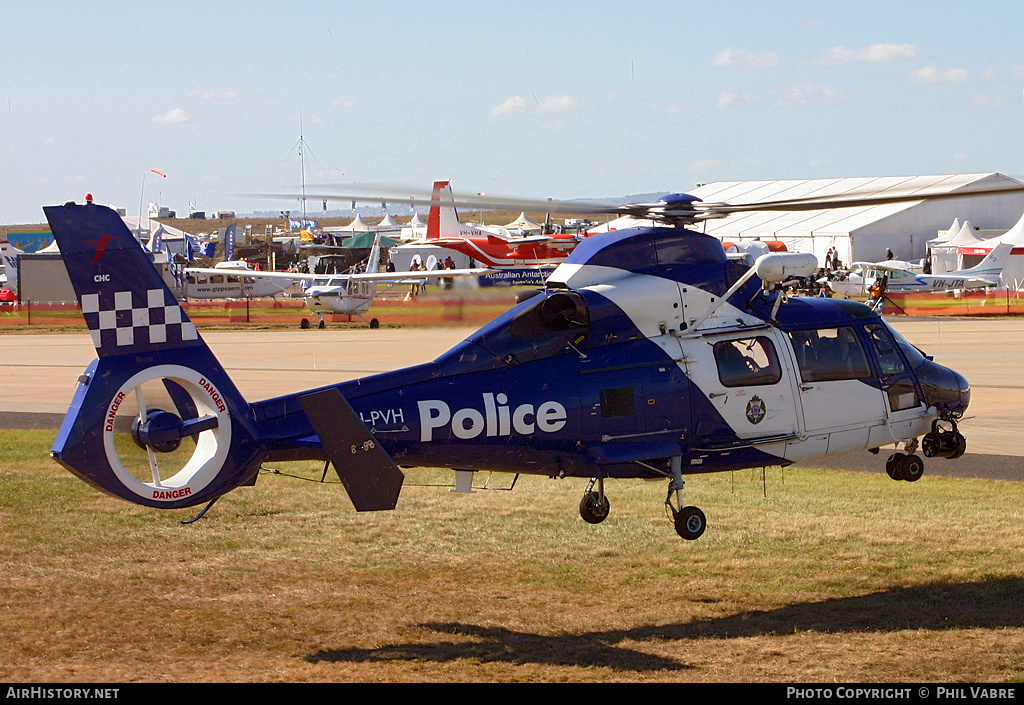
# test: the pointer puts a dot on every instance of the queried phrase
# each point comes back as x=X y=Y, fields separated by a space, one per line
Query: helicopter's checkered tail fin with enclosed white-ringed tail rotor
x=156 y=398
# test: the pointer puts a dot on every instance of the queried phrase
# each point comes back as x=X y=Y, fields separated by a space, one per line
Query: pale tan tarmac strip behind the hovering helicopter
x=38 y=375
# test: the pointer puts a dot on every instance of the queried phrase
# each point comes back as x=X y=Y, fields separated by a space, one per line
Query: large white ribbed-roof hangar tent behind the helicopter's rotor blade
x=864 y=233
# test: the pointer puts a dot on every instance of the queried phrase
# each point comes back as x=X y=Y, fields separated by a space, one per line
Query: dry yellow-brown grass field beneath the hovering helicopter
x=802 y=576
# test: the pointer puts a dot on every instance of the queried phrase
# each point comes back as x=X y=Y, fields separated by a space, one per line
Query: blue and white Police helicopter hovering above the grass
x=648 y=354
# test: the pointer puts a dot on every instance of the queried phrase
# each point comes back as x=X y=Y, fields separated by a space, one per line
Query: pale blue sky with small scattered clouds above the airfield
x=534 y=100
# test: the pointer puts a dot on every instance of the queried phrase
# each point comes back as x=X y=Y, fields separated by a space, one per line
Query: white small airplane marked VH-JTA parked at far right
x=899 y=278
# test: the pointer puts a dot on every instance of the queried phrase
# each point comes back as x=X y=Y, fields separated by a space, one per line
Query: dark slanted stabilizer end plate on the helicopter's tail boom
x=370 y=477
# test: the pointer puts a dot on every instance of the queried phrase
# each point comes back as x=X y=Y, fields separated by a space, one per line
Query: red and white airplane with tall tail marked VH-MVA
x=494 y=247
